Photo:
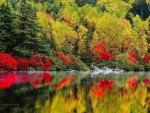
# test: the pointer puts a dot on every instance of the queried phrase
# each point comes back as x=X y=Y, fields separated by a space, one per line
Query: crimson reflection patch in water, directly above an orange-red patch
x=106 y=84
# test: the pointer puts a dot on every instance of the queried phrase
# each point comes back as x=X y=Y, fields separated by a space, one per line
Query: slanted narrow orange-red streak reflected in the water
x=64 y=82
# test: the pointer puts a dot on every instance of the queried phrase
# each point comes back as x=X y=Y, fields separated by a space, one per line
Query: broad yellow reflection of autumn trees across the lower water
x=115 y=100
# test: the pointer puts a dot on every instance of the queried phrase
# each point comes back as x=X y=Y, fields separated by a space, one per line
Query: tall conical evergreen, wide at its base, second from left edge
x=28 y=33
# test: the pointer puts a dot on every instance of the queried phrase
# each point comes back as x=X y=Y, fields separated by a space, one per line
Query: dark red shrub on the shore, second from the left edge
x=23 y=64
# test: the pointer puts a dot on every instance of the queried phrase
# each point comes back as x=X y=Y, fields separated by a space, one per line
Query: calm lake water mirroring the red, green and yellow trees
x=78 y=92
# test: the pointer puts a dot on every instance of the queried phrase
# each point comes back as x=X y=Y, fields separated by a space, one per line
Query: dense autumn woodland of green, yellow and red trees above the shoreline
x=73 y=34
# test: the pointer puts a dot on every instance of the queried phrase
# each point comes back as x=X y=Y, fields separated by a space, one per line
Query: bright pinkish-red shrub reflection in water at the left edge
x=8 y=80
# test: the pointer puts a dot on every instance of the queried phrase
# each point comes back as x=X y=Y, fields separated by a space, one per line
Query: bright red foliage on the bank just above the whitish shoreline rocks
x=103 y=54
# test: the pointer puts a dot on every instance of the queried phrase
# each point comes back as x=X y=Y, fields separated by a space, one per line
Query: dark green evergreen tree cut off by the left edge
x=6 y=27
